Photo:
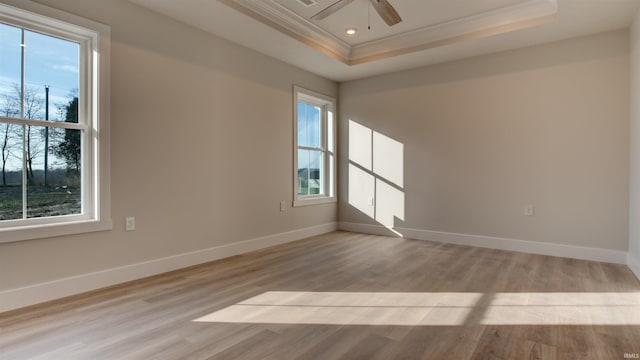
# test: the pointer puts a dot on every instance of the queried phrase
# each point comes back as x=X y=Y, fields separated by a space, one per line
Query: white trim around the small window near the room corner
x=328 y=104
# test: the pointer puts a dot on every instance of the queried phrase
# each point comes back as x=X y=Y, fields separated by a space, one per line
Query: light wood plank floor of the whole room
x=346 y=296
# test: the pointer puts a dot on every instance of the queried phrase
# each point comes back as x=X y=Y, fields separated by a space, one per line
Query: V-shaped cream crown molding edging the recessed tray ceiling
x=510 y=18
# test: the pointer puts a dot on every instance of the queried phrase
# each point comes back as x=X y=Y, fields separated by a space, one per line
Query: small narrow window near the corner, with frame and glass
x=314 y=171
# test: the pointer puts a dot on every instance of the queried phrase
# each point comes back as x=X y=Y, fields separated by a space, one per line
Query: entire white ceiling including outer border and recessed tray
x=432 y=31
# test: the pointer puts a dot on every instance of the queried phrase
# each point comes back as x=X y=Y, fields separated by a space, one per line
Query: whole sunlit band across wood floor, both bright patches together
x=432 y=309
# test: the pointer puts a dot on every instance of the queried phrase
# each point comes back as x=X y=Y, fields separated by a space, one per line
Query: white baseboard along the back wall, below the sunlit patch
x=533 y=247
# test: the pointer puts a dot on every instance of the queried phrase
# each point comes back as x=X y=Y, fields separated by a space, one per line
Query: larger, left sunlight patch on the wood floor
x=350 y=308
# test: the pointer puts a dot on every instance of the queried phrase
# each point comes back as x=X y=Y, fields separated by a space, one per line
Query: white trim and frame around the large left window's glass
x=95 y=105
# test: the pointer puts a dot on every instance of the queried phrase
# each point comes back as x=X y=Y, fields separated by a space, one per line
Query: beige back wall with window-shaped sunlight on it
x=482 y=137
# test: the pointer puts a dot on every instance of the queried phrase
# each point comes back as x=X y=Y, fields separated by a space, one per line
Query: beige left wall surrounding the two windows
x=201 y=149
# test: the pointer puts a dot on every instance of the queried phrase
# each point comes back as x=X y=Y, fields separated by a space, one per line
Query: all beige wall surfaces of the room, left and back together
x=201 y=149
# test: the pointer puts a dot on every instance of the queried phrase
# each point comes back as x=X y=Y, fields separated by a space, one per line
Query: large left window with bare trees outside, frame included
x=53 y=123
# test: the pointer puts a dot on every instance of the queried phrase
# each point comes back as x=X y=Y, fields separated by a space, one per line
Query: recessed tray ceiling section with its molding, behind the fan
x=425 y=24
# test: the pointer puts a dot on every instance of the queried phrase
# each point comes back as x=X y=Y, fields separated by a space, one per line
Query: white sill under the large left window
x=32 y=232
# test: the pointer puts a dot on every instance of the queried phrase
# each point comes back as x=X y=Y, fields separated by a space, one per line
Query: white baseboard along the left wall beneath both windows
x=38 y=293
